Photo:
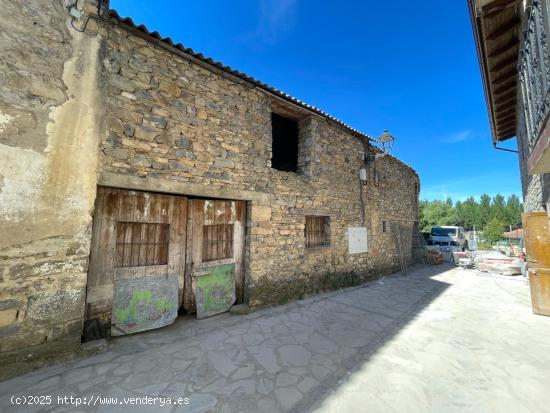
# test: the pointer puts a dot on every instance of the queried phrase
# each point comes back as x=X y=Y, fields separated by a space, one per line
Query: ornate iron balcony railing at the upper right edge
x=534 y=70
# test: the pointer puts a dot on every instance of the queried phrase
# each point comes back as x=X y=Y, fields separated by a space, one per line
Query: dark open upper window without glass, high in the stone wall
x=284 y=143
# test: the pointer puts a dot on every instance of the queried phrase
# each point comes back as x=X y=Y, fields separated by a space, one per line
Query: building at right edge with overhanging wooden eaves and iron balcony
x=512 y=43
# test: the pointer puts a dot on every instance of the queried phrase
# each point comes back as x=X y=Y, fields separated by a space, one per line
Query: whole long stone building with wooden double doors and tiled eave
x=139 y=179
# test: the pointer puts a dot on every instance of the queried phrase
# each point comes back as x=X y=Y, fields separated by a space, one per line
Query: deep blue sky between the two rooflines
x=410 y=67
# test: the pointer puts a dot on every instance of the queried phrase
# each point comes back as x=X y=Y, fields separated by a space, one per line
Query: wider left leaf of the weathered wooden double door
x=137 y=259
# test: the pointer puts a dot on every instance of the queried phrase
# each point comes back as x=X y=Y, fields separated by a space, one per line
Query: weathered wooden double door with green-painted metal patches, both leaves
x=153 y=254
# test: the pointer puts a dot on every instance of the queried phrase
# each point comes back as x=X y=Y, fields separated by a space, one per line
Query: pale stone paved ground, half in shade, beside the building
x=440 y=340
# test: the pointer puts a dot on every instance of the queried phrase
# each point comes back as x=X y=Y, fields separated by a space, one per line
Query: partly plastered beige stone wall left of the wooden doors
x=49 y=78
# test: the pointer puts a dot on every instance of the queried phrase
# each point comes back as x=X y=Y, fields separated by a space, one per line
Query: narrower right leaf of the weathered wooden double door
x=214 y=276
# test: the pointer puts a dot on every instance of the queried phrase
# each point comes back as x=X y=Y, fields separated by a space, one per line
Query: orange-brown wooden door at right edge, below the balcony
x=537 y=244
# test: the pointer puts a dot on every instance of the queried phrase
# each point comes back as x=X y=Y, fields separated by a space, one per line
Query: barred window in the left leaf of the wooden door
x=141 y=244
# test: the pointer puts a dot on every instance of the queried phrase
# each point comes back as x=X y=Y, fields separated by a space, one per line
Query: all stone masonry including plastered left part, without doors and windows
x=93 y=100
